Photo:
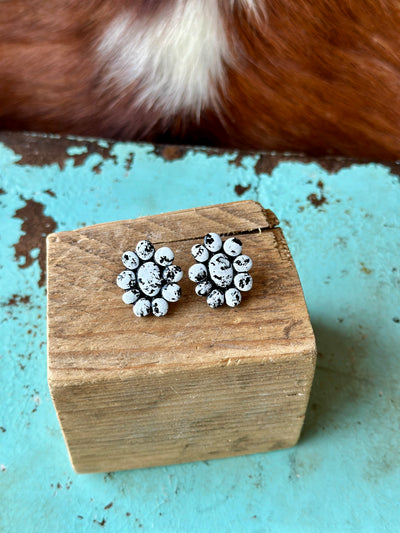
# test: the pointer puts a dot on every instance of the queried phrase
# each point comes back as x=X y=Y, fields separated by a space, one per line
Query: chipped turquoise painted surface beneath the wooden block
x=344 y=475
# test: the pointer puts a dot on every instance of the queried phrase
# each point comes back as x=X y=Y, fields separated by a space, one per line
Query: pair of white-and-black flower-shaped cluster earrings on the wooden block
x=150 y=279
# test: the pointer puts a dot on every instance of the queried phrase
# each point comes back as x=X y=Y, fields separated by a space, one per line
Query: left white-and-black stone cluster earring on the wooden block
x=150 y=279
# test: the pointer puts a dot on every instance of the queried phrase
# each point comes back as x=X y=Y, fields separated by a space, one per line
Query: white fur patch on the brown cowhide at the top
x=175 y=59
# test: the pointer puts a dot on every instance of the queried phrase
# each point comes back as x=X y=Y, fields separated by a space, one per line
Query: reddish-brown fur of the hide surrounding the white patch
x=320 y=77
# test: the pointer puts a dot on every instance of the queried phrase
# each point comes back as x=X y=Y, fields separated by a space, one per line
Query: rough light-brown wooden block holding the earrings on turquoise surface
x=197 y=384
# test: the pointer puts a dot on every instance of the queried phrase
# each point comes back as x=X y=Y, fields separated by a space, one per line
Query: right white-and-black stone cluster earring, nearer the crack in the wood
x=221 y=271
